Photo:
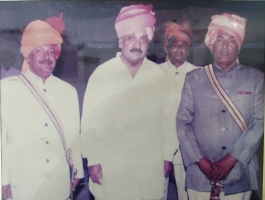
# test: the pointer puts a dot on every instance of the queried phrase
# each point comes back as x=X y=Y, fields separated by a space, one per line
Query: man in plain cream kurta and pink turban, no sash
x=126 y=135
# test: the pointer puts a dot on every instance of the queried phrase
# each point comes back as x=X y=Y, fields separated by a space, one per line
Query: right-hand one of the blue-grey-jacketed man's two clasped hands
x=223 y=167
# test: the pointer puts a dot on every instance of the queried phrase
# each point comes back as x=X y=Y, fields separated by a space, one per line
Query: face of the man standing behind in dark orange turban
x=177 y=51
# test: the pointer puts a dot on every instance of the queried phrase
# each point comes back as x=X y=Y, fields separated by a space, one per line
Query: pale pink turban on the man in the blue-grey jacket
x=232 y=24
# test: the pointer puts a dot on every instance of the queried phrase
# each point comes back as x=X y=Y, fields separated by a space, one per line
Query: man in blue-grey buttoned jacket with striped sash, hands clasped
x=220 y=117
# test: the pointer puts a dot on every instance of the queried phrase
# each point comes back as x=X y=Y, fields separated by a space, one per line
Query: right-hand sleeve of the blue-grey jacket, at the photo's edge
x=245 y=147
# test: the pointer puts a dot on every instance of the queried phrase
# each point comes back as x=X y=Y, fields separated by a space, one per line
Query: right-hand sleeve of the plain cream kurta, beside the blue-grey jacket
x=170 y=139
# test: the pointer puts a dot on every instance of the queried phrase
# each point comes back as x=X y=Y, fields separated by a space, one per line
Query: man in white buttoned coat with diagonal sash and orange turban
x=35 y=165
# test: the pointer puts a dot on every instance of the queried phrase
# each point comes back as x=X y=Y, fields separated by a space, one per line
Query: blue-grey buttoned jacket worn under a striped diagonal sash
x=206 y=129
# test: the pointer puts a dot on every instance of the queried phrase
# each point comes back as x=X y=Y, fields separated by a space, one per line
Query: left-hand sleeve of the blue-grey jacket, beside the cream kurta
x=190 y=150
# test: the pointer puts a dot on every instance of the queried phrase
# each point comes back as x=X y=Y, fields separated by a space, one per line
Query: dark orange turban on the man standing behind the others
x=179 y=30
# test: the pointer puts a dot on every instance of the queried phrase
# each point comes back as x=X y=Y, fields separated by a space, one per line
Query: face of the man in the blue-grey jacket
x=225 y=50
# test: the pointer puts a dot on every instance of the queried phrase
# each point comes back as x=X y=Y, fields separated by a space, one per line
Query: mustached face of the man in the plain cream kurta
x=134 y=47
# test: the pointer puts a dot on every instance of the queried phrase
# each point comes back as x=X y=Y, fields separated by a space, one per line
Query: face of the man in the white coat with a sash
x=42 y=60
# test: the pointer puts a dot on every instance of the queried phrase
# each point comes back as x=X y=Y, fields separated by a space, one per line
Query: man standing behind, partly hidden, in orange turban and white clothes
x=177 y=46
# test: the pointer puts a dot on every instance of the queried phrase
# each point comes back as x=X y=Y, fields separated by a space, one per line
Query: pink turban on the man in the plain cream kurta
x=134 y=18
